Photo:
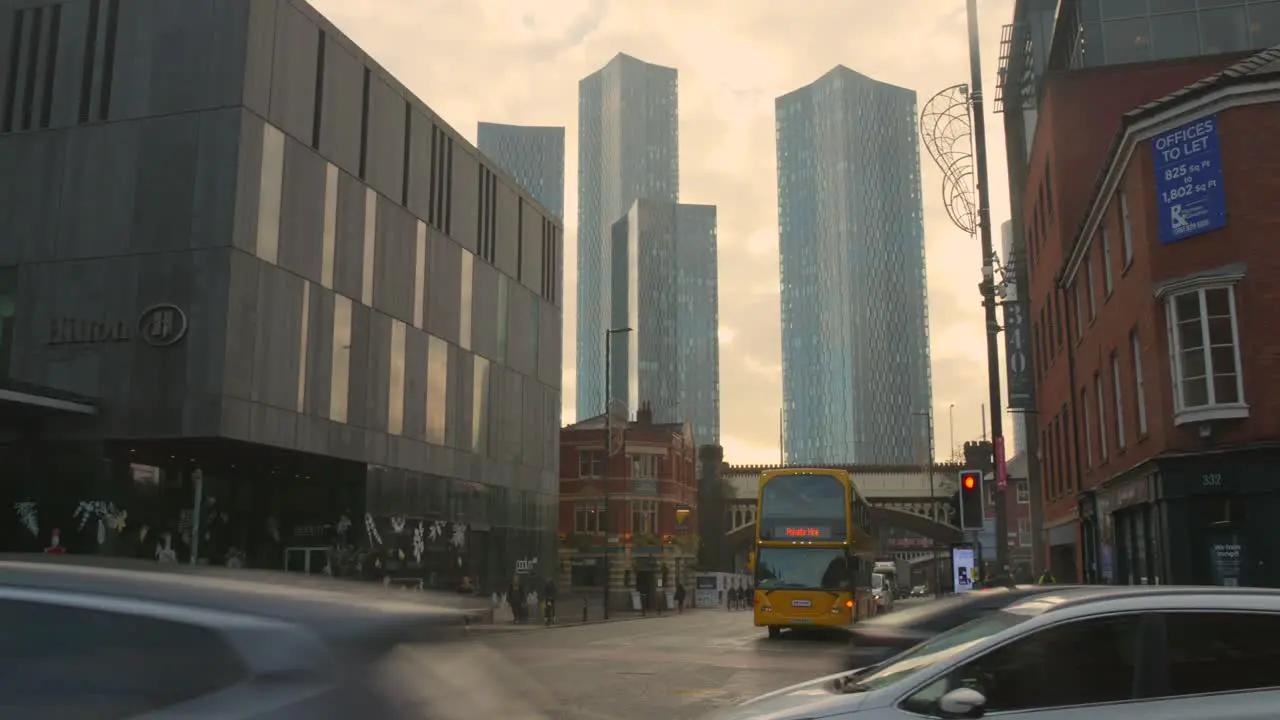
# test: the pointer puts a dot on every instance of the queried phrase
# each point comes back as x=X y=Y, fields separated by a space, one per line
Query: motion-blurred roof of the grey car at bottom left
x=337 y=610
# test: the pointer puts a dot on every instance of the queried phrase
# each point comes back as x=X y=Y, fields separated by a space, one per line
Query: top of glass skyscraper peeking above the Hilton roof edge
x=533 y=156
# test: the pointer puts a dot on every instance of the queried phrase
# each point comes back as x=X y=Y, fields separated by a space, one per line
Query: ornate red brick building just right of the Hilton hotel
x=637 y=508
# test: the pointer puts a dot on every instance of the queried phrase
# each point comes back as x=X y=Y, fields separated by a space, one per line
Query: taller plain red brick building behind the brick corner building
x=1080 y=113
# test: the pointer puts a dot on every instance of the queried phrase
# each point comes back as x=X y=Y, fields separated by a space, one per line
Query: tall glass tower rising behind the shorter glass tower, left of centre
x=628 y=149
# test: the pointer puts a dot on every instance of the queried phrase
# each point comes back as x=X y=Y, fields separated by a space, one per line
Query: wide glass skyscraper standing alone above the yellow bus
x=856 y=347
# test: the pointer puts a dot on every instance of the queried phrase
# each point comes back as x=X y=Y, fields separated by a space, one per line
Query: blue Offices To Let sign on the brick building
x=1190 y=198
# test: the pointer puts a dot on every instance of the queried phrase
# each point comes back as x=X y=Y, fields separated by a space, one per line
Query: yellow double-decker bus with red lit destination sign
x=813 y=552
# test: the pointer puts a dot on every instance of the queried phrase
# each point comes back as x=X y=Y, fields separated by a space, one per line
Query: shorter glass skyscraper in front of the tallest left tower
x=664 y=288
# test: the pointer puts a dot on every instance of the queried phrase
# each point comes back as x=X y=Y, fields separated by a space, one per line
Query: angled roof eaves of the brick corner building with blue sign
x=1263 y=67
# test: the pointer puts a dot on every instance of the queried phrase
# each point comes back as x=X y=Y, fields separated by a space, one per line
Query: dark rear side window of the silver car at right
x=1222 y=653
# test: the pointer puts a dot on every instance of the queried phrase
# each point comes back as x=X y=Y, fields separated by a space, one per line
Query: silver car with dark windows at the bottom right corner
x=1081 y=654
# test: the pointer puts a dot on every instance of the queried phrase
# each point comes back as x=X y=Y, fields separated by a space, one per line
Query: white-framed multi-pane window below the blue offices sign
x=1205 y=350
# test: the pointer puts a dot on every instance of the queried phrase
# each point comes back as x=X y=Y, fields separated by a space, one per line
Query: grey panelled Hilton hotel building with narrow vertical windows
x=249 y=266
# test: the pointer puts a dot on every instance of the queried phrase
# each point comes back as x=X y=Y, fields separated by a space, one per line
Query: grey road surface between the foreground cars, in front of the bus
x=669 y=668
